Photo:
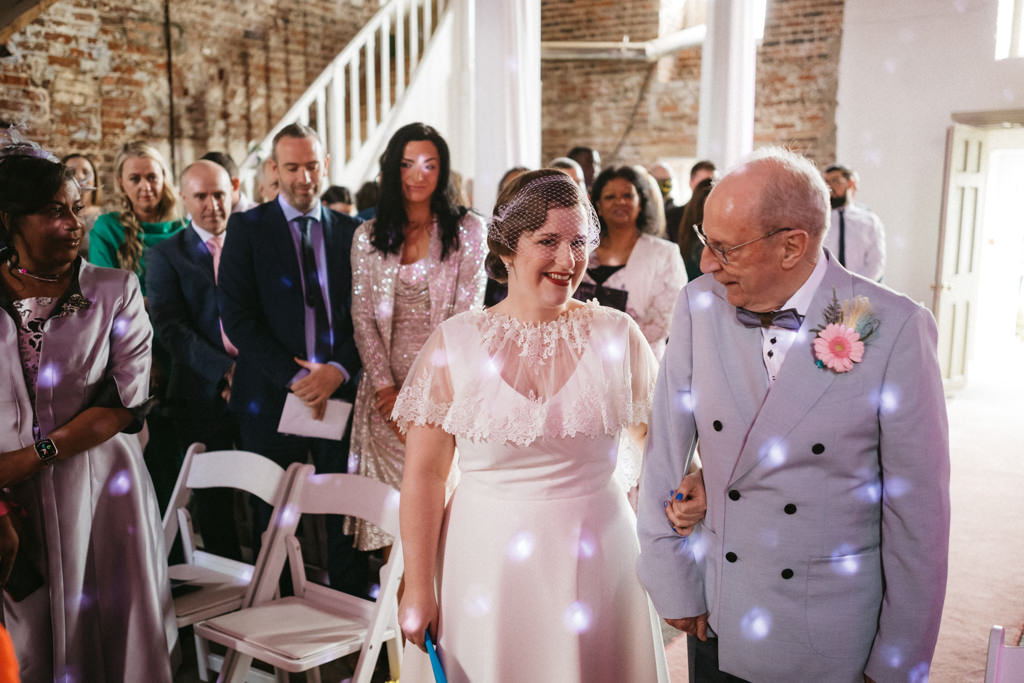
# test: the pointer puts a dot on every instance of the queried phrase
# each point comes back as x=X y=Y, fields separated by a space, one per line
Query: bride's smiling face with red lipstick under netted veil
x=549 y=263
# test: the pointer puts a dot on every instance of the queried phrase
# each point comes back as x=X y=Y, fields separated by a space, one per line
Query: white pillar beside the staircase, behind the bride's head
x=508 y=93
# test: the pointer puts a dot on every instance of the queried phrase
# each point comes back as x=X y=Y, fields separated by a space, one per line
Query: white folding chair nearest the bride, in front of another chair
x=318 y=624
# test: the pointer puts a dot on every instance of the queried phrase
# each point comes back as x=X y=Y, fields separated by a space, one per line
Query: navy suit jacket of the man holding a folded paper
x=264 y=311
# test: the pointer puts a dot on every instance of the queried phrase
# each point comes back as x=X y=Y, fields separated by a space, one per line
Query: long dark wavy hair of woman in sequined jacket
x=388 y=233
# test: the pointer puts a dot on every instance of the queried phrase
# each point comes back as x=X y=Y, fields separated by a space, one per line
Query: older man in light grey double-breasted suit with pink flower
x=817 y=401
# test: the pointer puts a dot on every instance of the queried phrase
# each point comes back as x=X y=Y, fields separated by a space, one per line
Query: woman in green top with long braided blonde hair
x=119 y=240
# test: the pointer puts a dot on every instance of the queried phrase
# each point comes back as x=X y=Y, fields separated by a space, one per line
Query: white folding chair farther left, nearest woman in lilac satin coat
x=208 y=585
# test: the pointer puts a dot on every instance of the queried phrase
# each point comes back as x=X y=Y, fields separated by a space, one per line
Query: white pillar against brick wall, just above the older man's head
x=726 y=131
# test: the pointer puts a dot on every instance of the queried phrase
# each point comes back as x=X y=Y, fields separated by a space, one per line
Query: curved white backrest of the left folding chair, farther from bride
x=232 y=469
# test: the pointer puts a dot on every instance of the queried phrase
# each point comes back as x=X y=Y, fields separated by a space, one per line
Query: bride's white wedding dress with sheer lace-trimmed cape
x=537 y=578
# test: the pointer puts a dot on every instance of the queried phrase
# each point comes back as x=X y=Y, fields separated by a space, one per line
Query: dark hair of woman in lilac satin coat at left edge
x=27 y=186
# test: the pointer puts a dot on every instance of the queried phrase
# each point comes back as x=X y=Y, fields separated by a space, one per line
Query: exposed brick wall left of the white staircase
x=90 y=75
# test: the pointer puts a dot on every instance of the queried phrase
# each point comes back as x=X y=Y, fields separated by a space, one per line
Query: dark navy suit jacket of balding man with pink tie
x=183 y=301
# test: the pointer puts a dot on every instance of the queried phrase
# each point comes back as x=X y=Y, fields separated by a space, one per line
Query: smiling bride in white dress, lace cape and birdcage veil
x=528 y=574
